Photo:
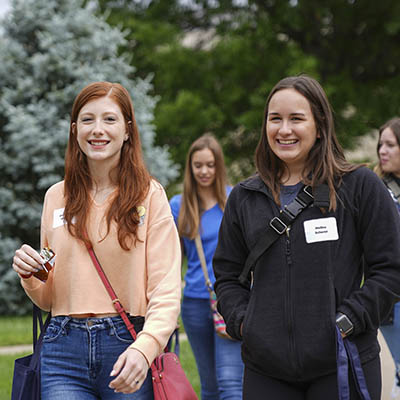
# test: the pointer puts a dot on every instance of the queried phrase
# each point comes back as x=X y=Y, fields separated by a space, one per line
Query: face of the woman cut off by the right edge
x=389 y=153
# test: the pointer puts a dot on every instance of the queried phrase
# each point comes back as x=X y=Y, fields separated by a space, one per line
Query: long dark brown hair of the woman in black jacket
x=326 y=162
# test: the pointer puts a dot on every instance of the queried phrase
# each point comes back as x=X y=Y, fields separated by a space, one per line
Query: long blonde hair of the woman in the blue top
x=189 y=215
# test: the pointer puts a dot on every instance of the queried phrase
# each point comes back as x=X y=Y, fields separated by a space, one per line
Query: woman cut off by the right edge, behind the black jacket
x=389 y=169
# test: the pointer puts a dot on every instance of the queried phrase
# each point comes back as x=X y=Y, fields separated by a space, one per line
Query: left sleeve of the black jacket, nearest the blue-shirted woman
x=228 y=263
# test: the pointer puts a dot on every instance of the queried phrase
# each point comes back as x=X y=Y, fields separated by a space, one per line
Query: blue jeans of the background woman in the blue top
x=218 y=360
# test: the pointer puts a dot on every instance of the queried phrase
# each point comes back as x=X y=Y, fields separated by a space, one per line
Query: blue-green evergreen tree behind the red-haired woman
x=49 y=50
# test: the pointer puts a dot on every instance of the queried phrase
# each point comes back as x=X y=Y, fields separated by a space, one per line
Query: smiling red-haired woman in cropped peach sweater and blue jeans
x=109 y=200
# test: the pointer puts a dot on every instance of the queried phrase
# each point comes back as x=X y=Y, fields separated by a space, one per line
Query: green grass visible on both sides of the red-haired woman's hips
x=18 y=330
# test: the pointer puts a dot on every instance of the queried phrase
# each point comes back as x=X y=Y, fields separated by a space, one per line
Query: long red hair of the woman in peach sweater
x=133 y=178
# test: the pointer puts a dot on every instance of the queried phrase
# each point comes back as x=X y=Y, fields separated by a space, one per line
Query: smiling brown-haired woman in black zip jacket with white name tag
x=334 y=273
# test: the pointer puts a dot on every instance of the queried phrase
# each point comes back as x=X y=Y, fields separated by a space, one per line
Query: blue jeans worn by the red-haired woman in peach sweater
x=78 y=356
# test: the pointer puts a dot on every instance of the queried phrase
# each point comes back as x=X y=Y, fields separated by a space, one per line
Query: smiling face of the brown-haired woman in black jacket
x=291 y=130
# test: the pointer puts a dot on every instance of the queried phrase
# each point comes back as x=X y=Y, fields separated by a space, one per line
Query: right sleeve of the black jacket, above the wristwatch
x=378 y=225
